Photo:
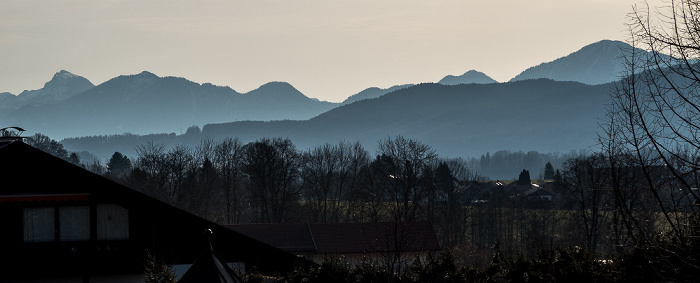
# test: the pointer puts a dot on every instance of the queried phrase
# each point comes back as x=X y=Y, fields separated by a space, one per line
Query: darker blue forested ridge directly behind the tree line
x=462 y=120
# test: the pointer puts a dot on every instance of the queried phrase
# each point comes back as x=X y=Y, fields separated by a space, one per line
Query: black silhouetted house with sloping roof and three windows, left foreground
x=76 y=226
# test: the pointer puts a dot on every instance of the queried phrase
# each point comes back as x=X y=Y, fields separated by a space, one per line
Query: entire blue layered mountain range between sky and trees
x=460 y=115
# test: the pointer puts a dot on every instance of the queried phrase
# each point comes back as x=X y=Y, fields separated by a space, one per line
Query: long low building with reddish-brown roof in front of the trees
x=350 y=241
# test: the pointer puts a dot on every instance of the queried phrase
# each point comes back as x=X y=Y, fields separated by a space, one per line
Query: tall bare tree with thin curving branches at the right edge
x=655 y=116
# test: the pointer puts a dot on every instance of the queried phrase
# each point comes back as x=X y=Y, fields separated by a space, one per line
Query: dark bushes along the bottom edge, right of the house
x=572 y=264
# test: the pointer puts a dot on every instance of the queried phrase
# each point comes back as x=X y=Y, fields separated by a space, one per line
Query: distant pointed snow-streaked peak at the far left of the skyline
x=62 y=86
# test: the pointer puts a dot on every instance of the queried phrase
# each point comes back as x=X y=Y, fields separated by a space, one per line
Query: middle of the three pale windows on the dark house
x=74 y=223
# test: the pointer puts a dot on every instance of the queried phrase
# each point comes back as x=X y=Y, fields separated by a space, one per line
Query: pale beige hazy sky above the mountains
x=327 y=49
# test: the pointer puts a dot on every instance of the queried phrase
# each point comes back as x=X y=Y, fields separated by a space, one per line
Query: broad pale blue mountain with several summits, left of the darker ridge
x=145 y=103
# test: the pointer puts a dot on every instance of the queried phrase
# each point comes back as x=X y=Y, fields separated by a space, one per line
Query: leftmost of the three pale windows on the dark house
x=39 y=224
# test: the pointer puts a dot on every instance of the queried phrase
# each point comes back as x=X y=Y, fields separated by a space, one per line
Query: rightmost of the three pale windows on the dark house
x=112 y=222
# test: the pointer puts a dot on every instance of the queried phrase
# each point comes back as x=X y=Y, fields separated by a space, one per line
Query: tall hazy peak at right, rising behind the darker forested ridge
x=597 y=63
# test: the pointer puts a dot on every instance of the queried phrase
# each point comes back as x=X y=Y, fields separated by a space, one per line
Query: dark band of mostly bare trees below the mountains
x=594 y=207
